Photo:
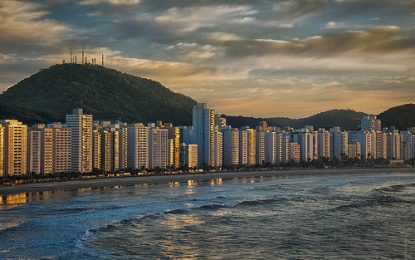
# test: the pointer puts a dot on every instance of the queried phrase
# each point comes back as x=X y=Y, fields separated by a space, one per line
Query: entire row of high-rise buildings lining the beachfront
x=82 y=145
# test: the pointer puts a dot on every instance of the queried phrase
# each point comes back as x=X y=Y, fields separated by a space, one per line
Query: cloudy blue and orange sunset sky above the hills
x=255 y=58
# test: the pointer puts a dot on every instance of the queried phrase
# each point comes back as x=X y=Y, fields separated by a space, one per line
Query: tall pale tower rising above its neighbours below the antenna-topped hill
x=81 y=131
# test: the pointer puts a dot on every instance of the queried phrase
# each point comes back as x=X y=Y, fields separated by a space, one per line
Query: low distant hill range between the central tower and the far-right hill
x=346 y=119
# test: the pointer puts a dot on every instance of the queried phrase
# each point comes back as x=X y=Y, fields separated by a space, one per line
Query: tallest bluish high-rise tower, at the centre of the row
x=204 y=133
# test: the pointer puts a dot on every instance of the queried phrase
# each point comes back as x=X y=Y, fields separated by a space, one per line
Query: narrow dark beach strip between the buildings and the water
x=129 y=181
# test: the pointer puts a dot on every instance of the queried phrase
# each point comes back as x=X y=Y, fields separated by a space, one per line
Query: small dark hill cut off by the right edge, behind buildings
x=401 y=117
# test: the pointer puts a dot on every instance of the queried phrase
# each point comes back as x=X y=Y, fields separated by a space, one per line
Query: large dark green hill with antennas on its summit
x=106 y=93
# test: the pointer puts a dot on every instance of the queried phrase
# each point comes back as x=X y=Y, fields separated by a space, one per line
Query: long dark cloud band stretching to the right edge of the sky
x=381 y=40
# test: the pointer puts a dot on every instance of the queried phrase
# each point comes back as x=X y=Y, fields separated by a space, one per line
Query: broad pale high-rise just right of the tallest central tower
x=230 y=138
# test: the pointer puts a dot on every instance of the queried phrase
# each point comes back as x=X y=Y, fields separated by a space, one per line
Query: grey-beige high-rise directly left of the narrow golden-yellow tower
x=159 y=147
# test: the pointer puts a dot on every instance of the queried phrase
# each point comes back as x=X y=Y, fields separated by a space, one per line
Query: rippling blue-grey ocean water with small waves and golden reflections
x=297 y=217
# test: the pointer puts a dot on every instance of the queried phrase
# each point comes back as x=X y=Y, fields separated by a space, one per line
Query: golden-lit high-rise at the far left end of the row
x=15 y=147
